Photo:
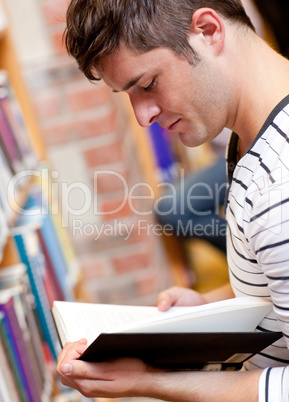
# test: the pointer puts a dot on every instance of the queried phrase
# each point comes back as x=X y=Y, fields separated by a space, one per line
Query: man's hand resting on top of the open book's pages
x=178 y=296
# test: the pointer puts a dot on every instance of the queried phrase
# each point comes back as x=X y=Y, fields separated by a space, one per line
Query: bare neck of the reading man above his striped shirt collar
x=263 y=83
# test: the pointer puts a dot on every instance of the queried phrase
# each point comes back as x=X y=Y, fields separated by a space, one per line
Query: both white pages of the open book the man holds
x=85 y=320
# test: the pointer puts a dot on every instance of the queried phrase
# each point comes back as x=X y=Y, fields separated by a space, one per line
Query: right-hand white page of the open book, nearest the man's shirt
x=240 y=314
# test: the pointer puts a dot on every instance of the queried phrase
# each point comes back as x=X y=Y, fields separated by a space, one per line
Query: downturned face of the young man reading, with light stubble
x=166 y=89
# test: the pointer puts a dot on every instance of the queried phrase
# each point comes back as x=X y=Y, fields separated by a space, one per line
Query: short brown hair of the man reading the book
x=95 y=28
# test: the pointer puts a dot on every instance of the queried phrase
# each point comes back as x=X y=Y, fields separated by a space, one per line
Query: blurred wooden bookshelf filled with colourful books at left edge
x=37 y=264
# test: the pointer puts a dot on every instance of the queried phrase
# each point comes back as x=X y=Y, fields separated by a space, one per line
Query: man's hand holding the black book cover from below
x=113 y=379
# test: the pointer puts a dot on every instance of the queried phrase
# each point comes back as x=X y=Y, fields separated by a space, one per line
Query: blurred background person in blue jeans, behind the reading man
x=200 y=215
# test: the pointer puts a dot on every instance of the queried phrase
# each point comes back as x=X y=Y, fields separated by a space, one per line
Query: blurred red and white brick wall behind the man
x=94 y=154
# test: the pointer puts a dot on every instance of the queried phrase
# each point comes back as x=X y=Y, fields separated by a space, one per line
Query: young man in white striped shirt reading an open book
x=196 y=67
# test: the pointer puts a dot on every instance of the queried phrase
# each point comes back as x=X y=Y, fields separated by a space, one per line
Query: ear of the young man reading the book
x=207 y=23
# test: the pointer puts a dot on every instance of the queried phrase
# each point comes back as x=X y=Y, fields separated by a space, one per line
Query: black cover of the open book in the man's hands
x=181 y=350
